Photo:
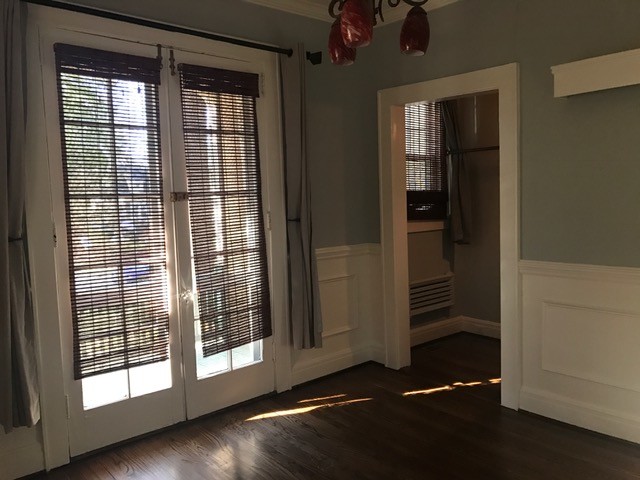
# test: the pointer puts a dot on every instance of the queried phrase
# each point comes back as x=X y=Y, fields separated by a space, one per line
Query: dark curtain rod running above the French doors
x=158 y=25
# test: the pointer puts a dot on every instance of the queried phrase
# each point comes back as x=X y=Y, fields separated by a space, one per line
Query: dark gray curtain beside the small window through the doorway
x=459 y=188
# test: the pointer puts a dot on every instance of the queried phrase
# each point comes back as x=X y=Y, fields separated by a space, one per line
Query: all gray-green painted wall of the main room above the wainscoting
x=580 y=157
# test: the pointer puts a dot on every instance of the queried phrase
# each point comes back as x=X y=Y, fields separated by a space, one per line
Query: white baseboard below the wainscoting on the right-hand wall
x=580 y=414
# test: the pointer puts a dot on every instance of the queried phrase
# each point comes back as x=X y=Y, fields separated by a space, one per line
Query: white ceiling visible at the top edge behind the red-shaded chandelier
x=319 y=9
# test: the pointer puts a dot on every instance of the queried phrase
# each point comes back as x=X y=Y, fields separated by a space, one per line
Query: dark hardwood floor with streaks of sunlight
x=367 y=427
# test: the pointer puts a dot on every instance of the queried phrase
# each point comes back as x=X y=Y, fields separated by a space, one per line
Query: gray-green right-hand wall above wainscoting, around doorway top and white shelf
x=580 y=157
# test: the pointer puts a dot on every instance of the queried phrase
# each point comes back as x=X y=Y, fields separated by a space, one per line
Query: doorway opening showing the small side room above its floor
x=454 y=246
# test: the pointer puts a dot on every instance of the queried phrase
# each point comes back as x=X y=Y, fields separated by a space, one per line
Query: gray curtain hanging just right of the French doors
x=304 y=298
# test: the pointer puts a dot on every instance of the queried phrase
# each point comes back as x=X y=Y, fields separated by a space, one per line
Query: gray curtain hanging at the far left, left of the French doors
x=19 y=403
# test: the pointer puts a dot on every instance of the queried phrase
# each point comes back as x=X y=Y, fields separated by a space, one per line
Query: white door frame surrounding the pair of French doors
x=42 y=22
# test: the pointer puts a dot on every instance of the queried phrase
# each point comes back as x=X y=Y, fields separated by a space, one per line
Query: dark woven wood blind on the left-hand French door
x=111 y=159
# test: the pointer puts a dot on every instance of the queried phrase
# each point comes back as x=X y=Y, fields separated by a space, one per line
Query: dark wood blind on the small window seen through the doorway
x=427 y=188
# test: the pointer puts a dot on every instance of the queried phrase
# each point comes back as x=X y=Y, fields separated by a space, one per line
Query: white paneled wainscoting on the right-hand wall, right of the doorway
x=581 y=345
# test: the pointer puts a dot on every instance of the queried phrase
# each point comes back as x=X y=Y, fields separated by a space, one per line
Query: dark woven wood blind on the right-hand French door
x=225 y=206
